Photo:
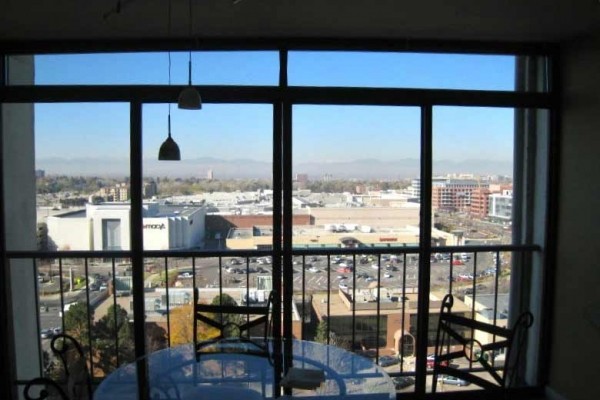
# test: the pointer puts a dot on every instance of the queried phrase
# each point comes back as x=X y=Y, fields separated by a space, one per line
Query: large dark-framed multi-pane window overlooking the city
x=366 y=199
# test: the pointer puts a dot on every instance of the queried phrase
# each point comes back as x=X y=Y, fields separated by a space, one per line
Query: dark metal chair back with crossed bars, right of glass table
x=458 y=331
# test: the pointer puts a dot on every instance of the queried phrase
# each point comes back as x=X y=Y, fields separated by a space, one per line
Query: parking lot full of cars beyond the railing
x=319 y=273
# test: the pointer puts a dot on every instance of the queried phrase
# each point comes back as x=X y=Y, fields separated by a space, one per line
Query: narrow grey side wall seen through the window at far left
x=20 y=217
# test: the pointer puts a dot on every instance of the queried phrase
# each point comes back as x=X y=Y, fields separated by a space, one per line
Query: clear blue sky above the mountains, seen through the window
x=322 y=133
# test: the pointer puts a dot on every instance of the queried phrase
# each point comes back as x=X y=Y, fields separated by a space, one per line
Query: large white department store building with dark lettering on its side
x=106 y=227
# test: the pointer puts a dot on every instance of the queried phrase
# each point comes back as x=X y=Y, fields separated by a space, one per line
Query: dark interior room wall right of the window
x=576 y=317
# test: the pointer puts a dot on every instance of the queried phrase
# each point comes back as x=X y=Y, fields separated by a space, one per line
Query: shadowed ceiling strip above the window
x=486 y=20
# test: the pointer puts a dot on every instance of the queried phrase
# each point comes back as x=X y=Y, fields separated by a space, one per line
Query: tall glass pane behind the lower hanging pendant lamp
x=217 y=197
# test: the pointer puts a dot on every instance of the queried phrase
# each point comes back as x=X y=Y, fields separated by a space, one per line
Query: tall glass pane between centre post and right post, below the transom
x=352 y=166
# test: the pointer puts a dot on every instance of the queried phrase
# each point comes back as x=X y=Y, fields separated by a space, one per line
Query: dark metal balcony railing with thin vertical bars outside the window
x=362 y=299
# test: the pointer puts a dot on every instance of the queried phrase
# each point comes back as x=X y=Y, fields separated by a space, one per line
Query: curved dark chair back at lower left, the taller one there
x=78 y=384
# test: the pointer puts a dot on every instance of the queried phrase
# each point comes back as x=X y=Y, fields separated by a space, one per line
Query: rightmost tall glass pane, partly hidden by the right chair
x=472 y=192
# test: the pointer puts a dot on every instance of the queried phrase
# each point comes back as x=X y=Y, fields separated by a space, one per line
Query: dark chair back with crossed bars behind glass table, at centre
x=233 y=322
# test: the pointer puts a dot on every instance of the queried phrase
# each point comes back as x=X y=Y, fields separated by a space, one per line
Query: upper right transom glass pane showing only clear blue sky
x=402 y=70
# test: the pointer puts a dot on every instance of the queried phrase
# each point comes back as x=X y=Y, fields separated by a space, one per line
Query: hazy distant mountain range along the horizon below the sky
x=246 y=168
